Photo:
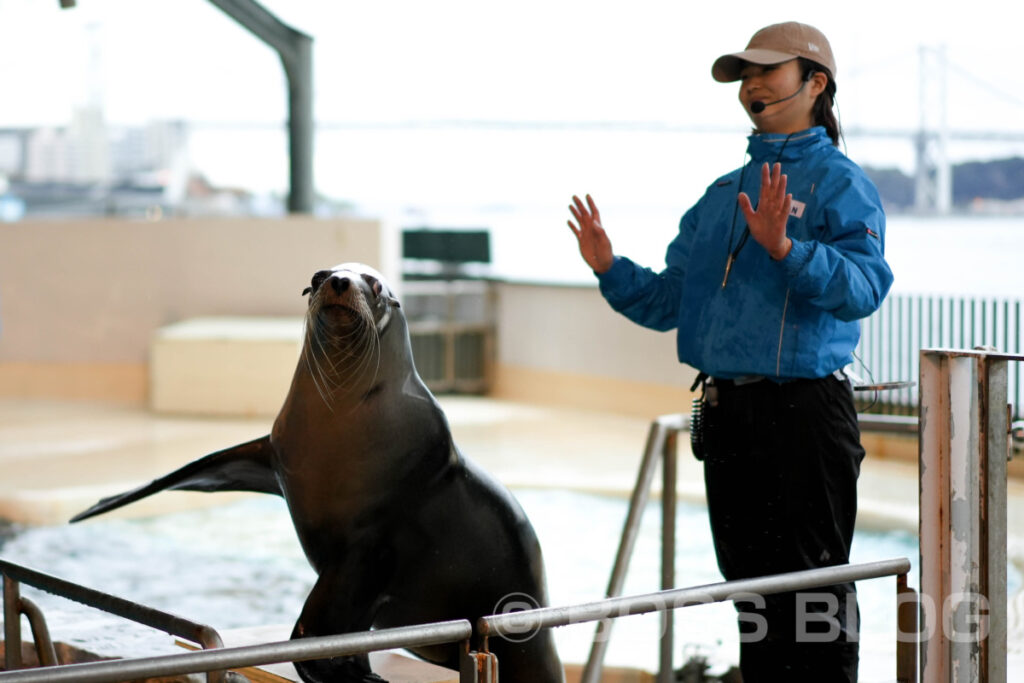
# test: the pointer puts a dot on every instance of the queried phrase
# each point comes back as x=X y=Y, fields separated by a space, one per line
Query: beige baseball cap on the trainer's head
x=776 y=45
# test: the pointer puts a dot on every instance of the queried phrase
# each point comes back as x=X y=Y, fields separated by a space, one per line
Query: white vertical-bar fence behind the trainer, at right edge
x=892 y=337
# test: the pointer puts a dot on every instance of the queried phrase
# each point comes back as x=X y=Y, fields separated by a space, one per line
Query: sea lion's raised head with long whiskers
x=352 y=308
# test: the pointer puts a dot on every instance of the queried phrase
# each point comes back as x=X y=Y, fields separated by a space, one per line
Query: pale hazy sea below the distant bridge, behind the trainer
x=519 y=183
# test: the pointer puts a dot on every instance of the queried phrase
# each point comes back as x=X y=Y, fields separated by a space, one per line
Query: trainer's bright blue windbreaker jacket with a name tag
x=797 y=318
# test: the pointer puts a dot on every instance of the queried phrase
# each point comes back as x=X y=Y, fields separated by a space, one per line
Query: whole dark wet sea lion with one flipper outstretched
x=400 y=527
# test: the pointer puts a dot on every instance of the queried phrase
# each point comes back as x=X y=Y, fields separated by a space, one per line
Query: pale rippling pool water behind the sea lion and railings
x=240 y=565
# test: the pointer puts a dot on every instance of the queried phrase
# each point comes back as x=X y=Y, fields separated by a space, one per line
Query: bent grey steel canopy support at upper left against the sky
x=295 y=51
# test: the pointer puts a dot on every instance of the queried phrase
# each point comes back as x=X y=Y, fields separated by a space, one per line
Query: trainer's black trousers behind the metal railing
x=781 y=475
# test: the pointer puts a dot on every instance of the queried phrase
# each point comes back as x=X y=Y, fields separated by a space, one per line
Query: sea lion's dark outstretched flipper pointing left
x=244 y=467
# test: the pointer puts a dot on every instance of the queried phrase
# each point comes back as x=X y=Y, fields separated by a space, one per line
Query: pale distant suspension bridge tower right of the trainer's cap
x=933 y=182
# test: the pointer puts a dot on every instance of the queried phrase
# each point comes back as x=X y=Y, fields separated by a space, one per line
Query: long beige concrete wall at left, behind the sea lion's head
x=80 y=300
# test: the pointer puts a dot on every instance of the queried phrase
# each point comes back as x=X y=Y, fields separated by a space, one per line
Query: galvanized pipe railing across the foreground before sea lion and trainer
x=478 y=667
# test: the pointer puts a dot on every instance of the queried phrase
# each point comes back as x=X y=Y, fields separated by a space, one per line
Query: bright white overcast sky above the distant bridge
x=530 y=60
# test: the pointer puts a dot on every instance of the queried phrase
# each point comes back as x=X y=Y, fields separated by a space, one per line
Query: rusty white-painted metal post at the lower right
x=963 y=447
